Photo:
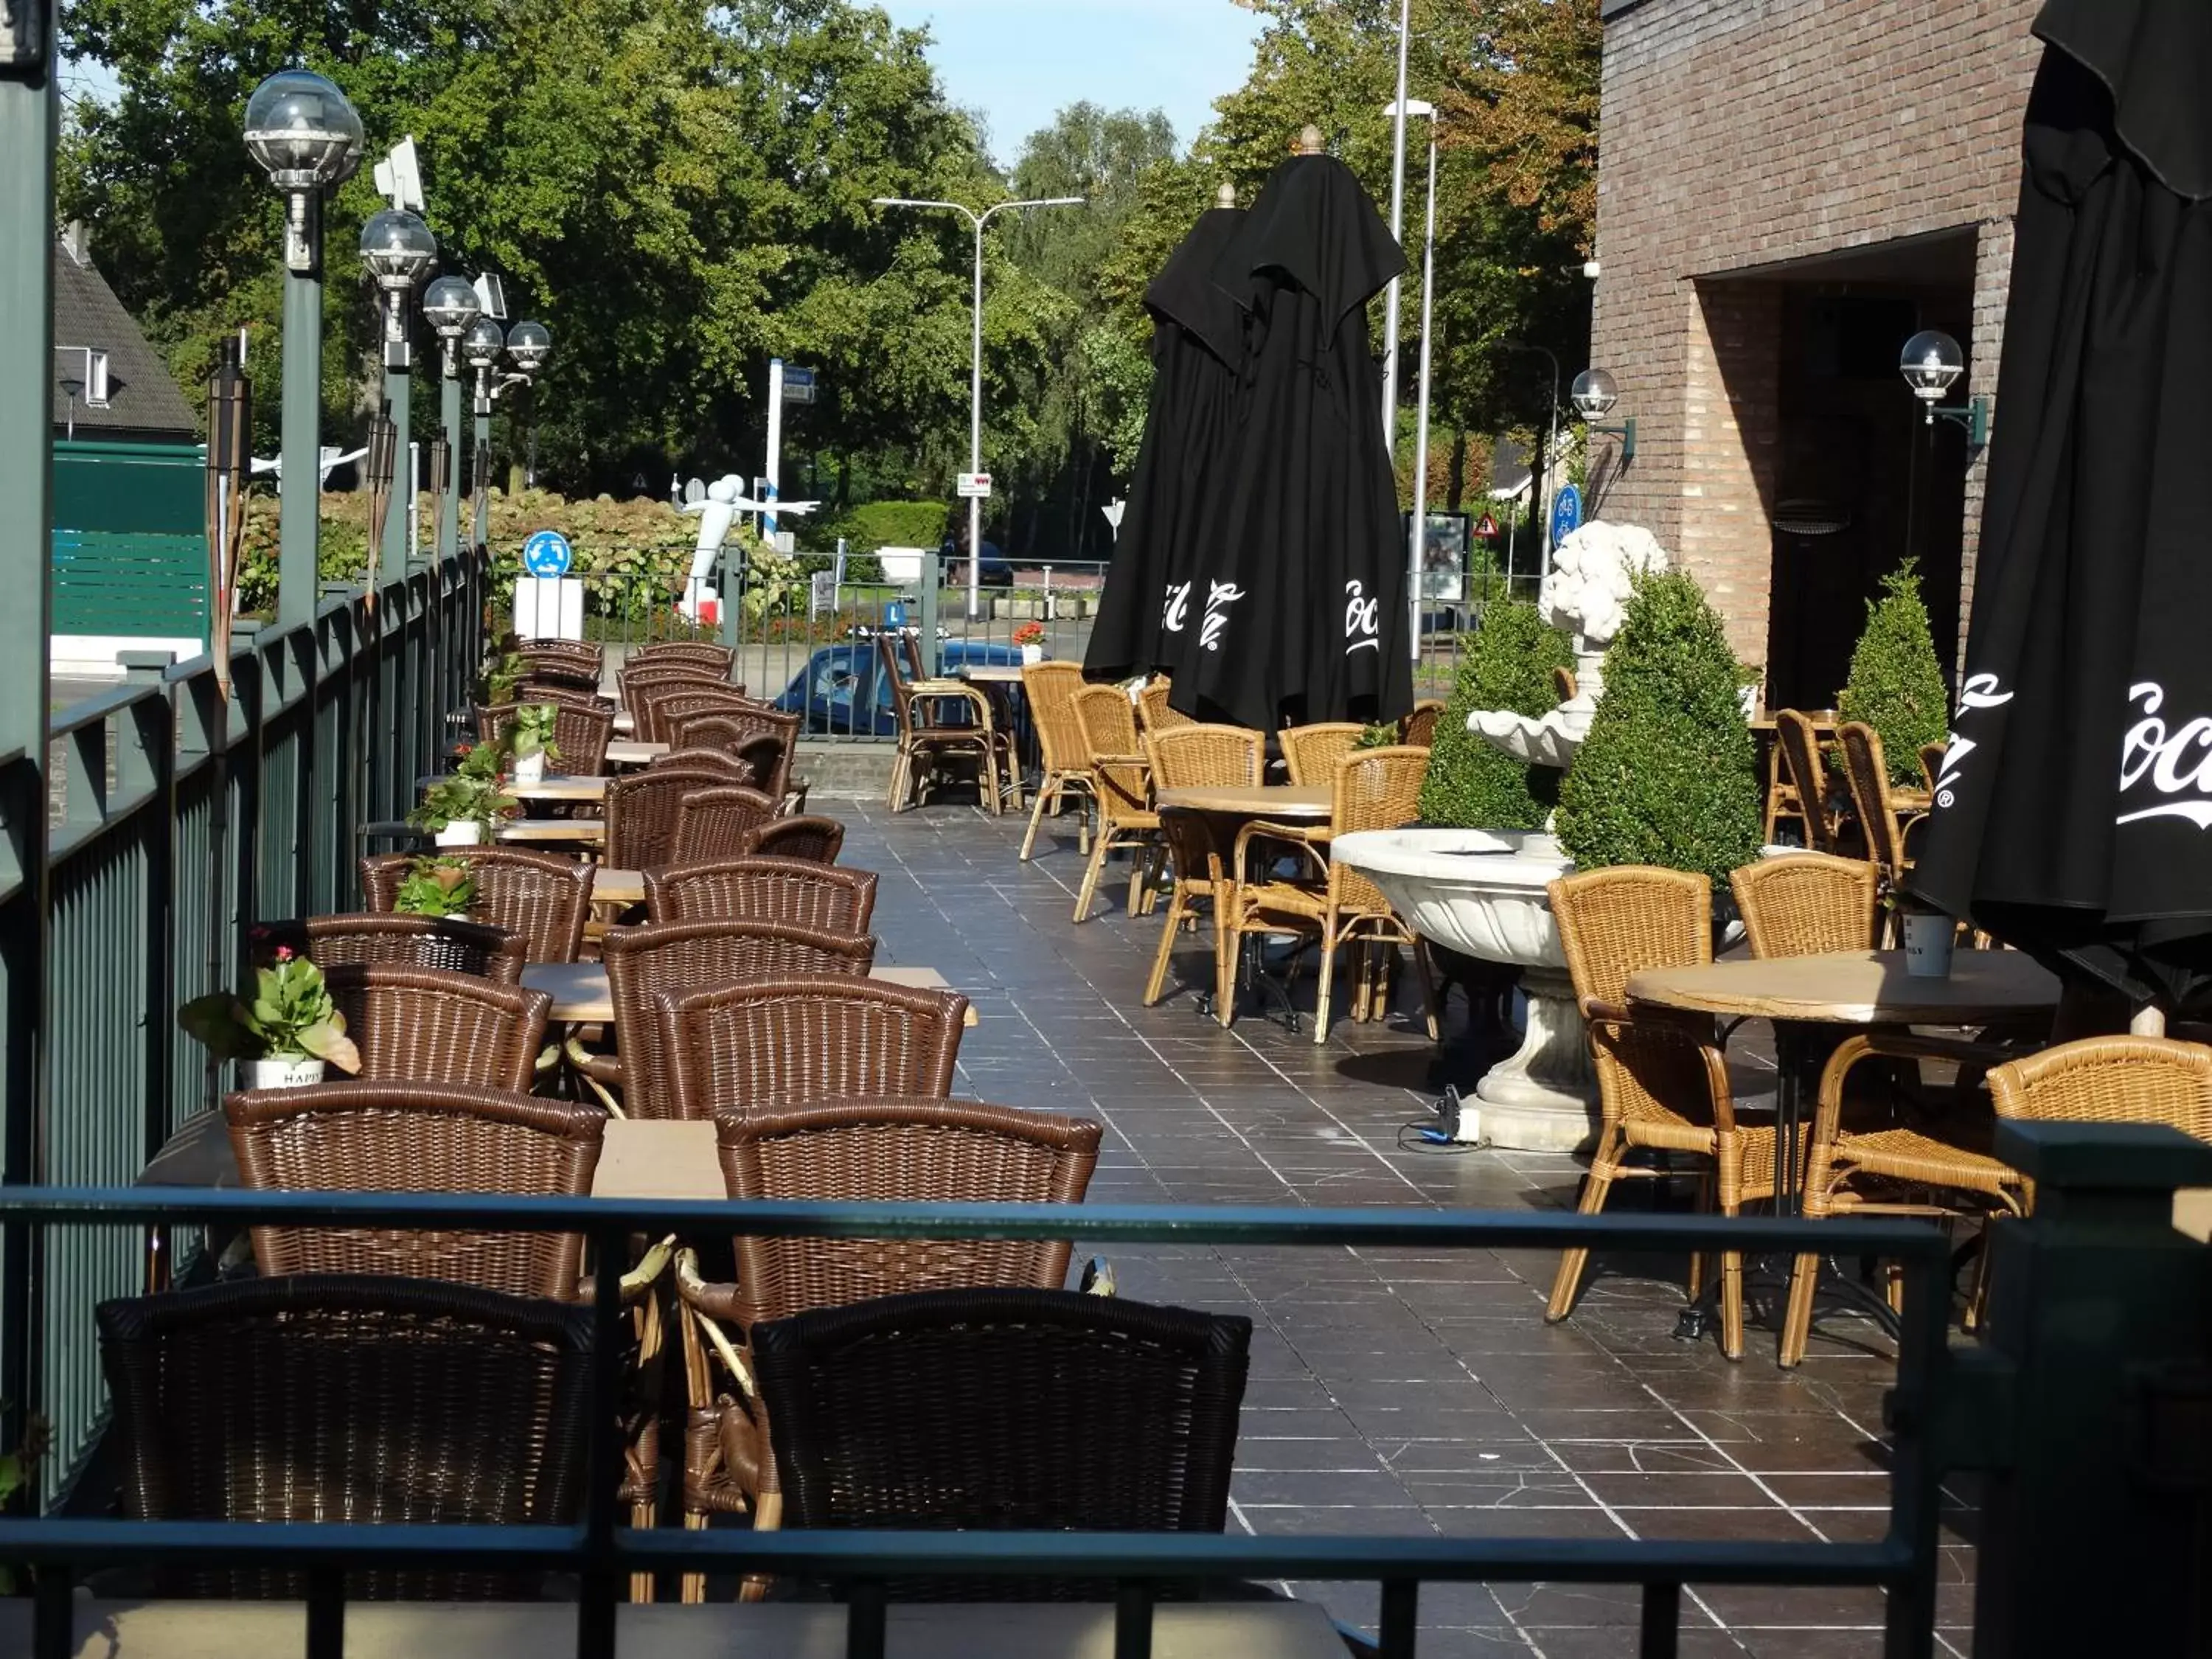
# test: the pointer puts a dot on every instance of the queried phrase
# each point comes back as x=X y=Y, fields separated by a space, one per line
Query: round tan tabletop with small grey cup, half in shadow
x=1855 y=990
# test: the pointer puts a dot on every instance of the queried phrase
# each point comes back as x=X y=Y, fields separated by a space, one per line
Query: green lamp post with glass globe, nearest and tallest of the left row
x=309 y=138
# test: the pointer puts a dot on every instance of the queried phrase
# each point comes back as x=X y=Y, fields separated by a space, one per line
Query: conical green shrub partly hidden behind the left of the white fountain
x=1507 y=665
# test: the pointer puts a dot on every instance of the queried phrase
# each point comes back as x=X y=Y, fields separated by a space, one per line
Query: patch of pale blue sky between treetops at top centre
x=1021 y=61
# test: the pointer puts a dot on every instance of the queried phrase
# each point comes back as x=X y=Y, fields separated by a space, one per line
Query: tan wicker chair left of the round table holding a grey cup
x=1662 y=1081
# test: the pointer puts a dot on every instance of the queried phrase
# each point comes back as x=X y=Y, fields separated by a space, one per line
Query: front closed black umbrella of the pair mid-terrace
x=1297 y=605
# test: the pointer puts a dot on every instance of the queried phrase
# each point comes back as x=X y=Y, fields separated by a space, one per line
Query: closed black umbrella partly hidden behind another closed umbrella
x=1198 y=364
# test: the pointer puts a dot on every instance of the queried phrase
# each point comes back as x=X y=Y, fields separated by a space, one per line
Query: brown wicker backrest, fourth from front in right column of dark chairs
x=645 y=963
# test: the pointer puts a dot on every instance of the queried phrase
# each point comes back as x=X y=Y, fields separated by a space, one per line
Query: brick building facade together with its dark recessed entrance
x=1786 y=191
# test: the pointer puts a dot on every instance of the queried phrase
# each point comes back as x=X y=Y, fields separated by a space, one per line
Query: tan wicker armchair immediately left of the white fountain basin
x=1337 y=906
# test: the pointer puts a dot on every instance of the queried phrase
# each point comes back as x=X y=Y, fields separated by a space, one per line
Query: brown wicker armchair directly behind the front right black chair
x=859 y=1151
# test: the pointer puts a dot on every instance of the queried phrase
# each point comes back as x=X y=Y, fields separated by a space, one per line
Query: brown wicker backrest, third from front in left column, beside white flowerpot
x=432 y=1027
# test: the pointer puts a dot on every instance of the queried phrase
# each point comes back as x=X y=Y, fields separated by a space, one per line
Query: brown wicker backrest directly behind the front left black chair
x=419 y=1138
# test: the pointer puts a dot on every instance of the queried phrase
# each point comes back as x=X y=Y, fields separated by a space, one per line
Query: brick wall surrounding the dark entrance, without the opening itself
x=1744 y=134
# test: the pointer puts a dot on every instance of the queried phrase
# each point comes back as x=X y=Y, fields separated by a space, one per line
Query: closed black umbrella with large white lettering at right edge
x=2074 y=815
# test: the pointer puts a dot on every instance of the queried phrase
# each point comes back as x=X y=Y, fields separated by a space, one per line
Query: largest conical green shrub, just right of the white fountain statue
x=1667 y=775
